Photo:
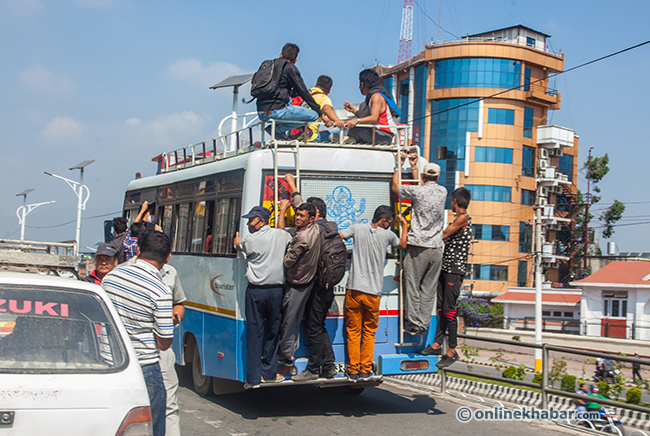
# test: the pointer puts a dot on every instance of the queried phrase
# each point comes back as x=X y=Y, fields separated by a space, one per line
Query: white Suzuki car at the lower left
x=67 y=365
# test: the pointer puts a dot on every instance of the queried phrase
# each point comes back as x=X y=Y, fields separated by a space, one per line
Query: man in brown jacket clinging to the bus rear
x=300 y=261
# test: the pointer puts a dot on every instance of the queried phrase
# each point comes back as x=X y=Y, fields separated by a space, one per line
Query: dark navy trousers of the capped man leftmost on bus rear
x=263 y=306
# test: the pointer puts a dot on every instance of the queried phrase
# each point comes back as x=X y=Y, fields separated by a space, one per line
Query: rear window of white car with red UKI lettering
x=55 y=330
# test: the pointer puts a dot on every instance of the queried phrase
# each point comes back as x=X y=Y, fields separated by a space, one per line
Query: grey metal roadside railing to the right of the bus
x=544 y=387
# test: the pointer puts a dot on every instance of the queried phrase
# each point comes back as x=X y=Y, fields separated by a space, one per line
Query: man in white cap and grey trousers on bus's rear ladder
x=424 y=252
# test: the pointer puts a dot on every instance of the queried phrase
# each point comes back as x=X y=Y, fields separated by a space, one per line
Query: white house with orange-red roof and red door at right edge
x=616 y=301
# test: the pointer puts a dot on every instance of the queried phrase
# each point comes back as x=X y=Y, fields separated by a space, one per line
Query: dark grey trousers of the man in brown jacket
x=293 y=307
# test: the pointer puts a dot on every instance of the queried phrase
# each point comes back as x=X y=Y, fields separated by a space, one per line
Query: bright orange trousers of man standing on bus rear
x=361 y=321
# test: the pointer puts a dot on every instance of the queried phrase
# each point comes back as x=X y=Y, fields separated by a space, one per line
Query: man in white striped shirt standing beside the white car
x=144 y=303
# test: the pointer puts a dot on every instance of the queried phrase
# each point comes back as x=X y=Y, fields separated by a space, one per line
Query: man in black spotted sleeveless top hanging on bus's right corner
x=457 y=237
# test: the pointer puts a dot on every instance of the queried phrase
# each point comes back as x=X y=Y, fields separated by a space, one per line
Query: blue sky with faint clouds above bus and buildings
x=121 y=81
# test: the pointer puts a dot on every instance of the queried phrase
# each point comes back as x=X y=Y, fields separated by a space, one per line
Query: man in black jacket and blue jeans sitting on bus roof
x=278 y=105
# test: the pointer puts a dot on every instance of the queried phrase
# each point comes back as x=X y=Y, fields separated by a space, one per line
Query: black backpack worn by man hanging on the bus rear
x=333 y=257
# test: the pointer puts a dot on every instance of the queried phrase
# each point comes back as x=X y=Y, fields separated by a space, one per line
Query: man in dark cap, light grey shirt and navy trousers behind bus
x=264 y=248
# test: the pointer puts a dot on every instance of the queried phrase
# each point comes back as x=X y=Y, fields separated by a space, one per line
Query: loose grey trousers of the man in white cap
x=421 y=272
